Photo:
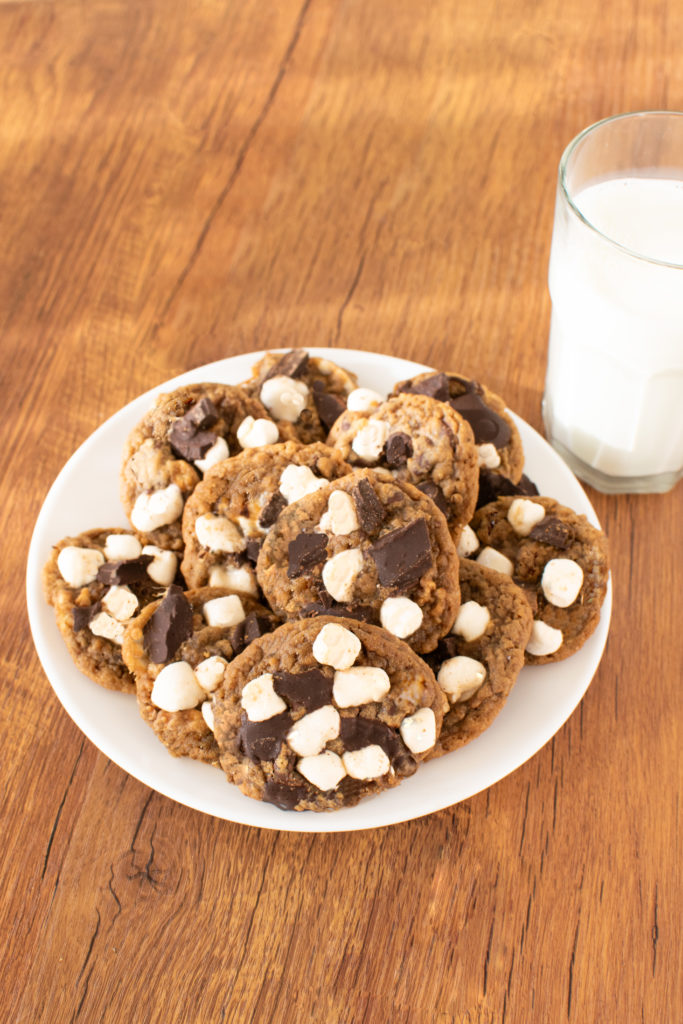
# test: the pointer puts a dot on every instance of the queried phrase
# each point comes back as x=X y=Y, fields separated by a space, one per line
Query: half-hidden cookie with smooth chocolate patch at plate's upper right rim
x=496 y=436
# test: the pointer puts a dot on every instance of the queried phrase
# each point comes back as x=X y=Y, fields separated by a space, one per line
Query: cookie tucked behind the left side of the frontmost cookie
x=178 y=651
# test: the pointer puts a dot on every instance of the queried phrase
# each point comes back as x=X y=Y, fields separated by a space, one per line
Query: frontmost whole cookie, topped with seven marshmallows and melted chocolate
x=320 y=714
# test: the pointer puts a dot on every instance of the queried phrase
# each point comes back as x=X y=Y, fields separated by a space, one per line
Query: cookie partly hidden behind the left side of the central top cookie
x=232 y=510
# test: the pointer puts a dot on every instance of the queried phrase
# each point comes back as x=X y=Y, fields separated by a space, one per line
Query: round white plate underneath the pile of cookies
x=86 y=495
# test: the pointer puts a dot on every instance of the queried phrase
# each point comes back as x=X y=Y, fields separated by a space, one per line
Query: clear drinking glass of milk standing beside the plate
x=614 y=399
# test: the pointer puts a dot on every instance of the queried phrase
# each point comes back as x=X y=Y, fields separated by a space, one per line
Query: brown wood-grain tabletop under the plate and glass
x=183 y=181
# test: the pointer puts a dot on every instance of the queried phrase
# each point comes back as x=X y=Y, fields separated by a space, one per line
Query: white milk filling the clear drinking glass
x=615 y=382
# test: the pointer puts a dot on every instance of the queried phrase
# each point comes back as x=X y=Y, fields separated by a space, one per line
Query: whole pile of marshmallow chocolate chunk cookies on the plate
x=323 y=586
